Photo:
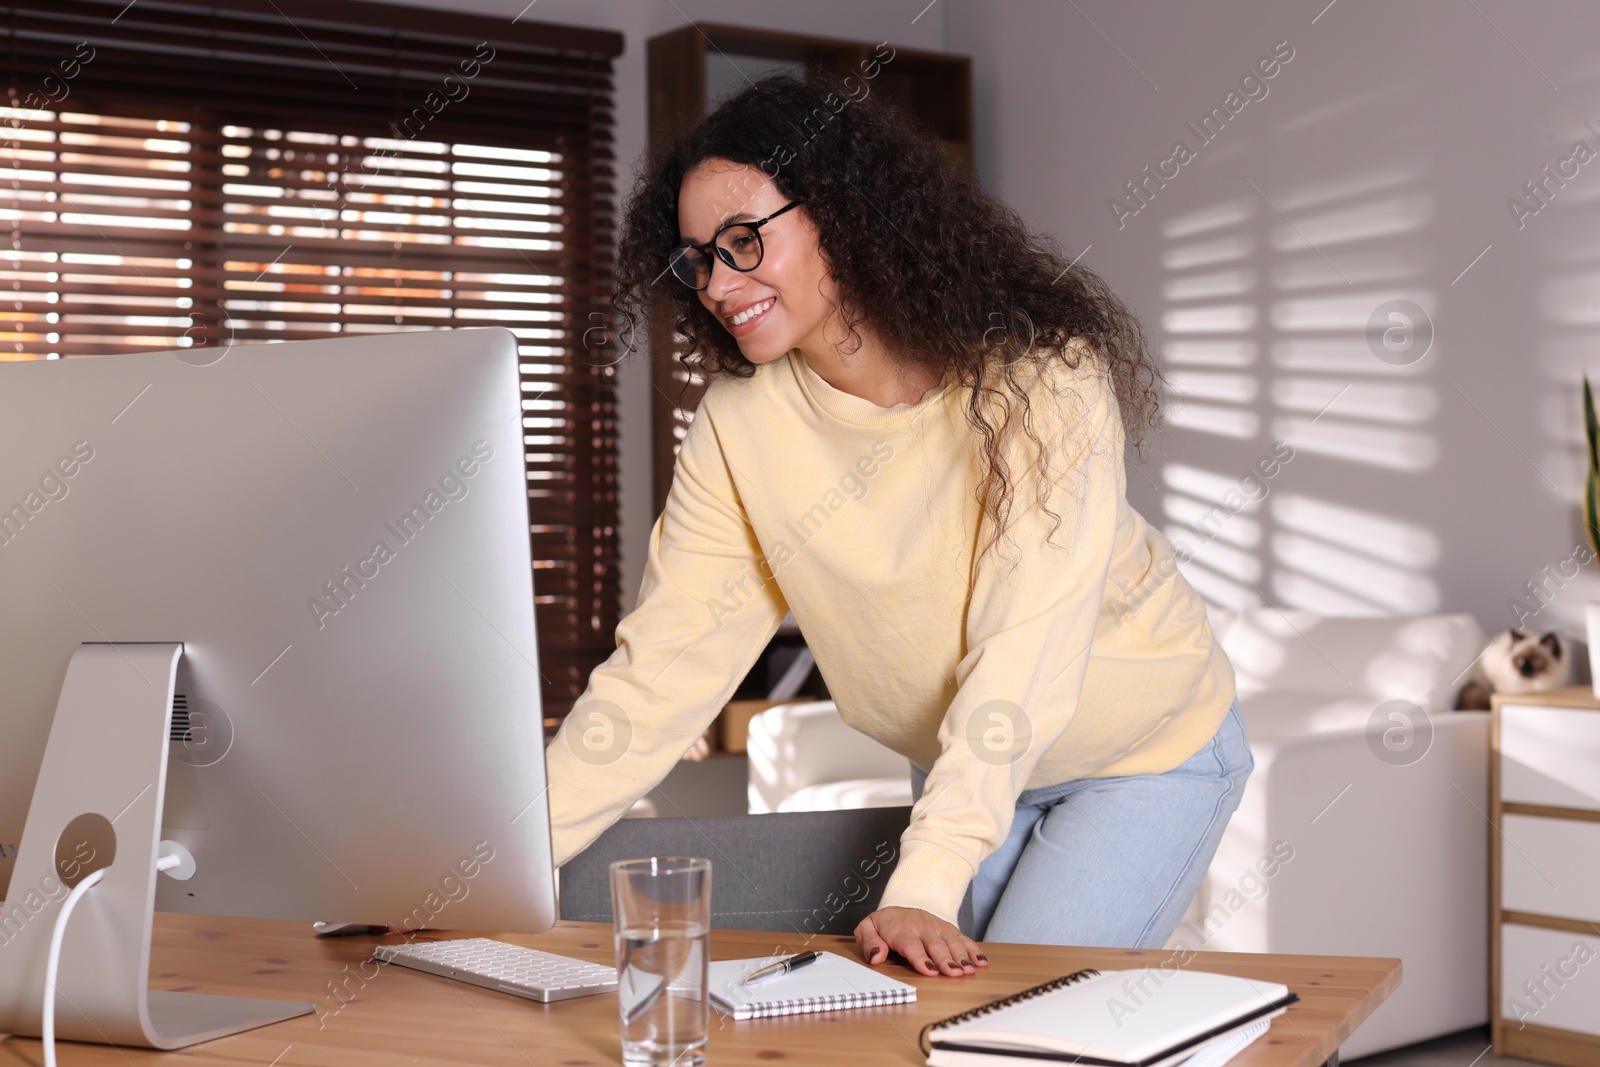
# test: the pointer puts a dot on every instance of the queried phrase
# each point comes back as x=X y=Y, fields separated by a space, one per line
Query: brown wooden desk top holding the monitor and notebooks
x=382 y=1015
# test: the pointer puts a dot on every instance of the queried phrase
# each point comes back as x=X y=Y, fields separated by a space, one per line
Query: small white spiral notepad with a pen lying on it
x=831 y=981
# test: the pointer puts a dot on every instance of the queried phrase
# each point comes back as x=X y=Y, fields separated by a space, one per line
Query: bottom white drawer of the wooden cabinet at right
x=1550 y=978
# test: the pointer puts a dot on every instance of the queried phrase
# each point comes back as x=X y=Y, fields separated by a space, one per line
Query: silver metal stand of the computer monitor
x=102 y=777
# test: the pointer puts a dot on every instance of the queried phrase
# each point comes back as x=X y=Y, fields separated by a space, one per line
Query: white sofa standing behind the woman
x=1346 y=842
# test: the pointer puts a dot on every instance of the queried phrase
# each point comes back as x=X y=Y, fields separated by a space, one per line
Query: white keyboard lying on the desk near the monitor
x=506 y=969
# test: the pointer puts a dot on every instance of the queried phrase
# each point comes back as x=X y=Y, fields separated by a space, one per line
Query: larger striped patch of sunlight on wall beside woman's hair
x=1268 y=305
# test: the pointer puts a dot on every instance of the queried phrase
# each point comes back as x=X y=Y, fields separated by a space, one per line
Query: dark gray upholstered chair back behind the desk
x=807 y=873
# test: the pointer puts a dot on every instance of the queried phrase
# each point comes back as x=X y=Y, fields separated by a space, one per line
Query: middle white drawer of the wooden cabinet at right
x=1551 y=868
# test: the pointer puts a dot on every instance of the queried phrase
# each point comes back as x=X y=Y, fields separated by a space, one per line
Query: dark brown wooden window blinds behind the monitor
x=175 y=175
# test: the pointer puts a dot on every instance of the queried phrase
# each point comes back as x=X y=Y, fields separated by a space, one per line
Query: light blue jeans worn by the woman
x=1111 y=861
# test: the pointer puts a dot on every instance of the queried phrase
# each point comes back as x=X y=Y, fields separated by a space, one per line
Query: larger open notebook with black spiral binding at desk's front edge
x=1140 y=1018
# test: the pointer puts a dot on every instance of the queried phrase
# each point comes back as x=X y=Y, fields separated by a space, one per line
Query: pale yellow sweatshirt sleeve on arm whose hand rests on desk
x=1030 y=629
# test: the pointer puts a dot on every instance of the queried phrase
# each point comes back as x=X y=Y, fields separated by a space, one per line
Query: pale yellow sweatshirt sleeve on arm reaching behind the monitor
x=706 y=610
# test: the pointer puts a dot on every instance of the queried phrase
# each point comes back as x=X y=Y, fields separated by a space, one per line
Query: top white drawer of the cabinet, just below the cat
x=1550 y=756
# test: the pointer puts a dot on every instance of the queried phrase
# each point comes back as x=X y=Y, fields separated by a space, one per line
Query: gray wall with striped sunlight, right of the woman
x=1377 y=169
